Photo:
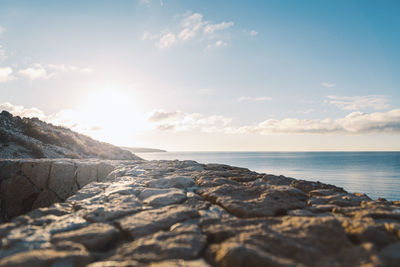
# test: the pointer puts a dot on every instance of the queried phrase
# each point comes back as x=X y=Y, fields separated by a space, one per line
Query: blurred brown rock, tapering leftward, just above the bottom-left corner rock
x=94 y=237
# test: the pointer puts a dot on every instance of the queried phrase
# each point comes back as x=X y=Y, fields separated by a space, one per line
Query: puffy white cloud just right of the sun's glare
x=181 y=121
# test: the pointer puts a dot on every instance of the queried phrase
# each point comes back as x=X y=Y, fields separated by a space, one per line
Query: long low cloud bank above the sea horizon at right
x=354 y=123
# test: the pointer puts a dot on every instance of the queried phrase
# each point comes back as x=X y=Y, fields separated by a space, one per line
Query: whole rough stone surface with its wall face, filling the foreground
x=182 y=213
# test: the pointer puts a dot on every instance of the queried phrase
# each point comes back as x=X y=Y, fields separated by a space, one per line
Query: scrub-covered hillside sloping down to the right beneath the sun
x=32 y=138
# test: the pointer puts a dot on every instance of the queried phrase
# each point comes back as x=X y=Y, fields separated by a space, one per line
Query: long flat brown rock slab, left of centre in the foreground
x=150 y=221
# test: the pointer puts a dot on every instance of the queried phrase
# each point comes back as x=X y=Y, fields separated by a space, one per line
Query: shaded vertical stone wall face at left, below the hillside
x=29 y=184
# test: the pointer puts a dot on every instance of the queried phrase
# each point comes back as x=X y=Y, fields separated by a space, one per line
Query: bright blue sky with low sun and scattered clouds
x=208 y=75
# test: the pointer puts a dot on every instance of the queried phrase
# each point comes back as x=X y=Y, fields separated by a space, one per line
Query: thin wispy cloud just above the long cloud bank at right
x=377 y=102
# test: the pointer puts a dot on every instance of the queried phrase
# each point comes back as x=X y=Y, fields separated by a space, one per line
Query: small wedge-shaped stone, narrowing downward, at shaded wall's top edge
x=37 y=172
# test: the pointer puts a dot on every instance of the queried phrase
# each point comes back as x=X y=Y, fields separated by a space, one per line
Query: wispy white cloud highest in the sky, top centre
x=190 y=25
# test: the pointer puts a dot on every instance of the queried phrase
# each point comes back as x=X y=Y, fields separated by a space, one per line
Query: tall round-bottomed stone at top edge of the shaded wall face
x=62 y=179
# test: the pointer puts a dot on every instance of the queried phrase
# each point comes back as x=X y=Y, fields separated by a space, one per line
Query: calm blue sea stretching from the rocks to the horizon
x=375 y=173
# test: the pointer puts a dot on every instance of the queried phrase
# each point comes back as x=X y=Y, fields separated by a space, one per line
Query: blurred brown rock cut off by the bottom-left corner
x=46 y=257
